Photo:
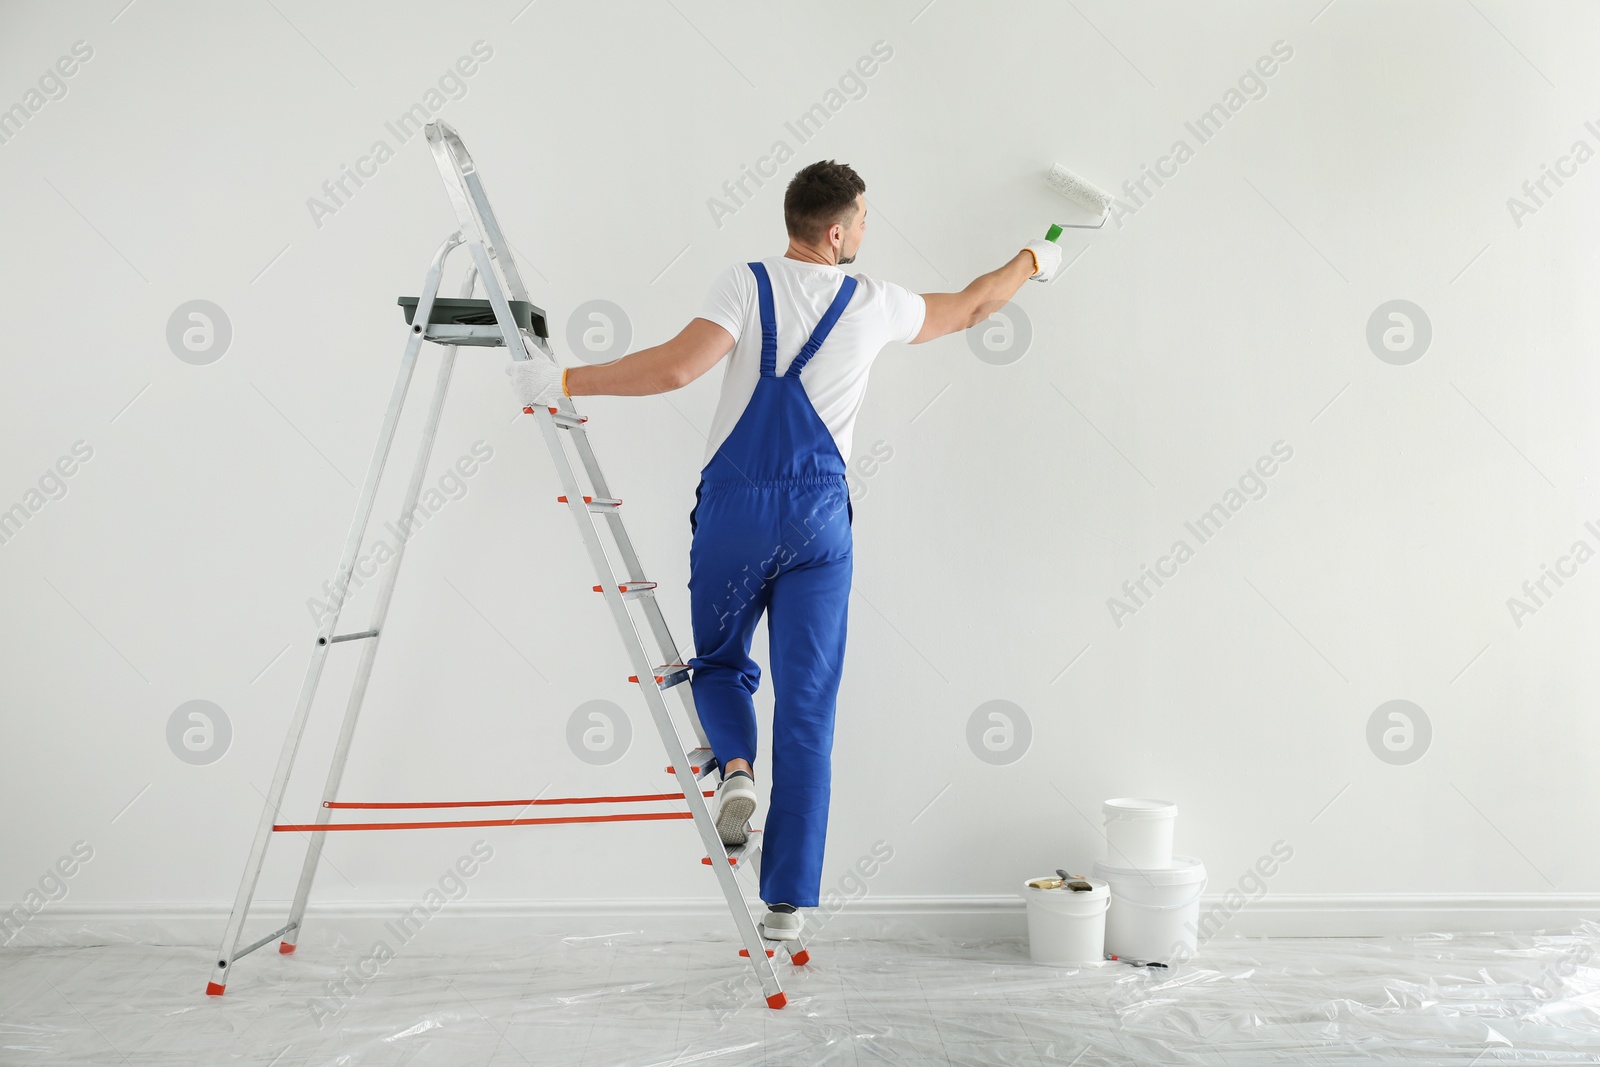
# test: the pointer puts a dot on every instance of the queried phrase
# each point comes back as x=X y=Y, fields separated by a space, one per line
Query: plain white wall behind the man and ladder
x=1206 y=324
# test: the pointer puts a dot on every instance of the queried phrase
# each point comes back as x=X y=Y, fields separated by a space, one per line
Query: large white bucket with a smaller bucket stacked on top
x=1154 y=911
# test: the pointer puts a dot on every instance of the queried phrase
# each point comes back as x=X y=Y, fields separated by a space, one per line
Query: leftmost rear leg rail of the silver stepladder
x=319 y=657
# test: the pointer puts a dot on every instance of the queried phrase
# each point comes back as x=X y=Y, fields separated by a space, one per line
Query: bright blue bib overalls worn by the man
x=772 y=533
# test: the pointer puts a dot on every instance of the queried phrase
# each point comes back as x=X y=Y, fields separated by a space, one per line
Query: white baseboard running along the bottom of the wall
x=1276 y=916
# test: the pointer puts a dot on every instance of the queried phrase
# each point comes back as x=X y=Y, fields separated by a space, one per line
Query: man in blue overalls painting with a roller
x=772 y=514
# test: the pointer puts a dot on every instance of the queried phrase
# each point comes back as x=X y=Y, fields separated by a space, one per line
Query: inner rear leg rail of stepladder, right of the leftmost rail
x=377 y=625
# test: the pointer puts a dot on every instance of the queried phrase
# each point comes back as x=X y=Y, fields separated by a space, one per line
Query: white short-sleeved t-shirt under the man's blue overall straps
x=836 y=380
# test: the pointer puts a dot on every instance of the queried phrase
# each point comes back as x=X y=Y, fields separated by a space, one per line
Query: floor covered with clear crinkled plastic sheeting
x=628 y=999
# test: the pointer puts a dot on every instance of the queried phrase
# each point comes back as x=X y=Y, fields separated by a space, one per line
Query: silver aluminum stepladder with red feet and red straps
x=505 y=319
